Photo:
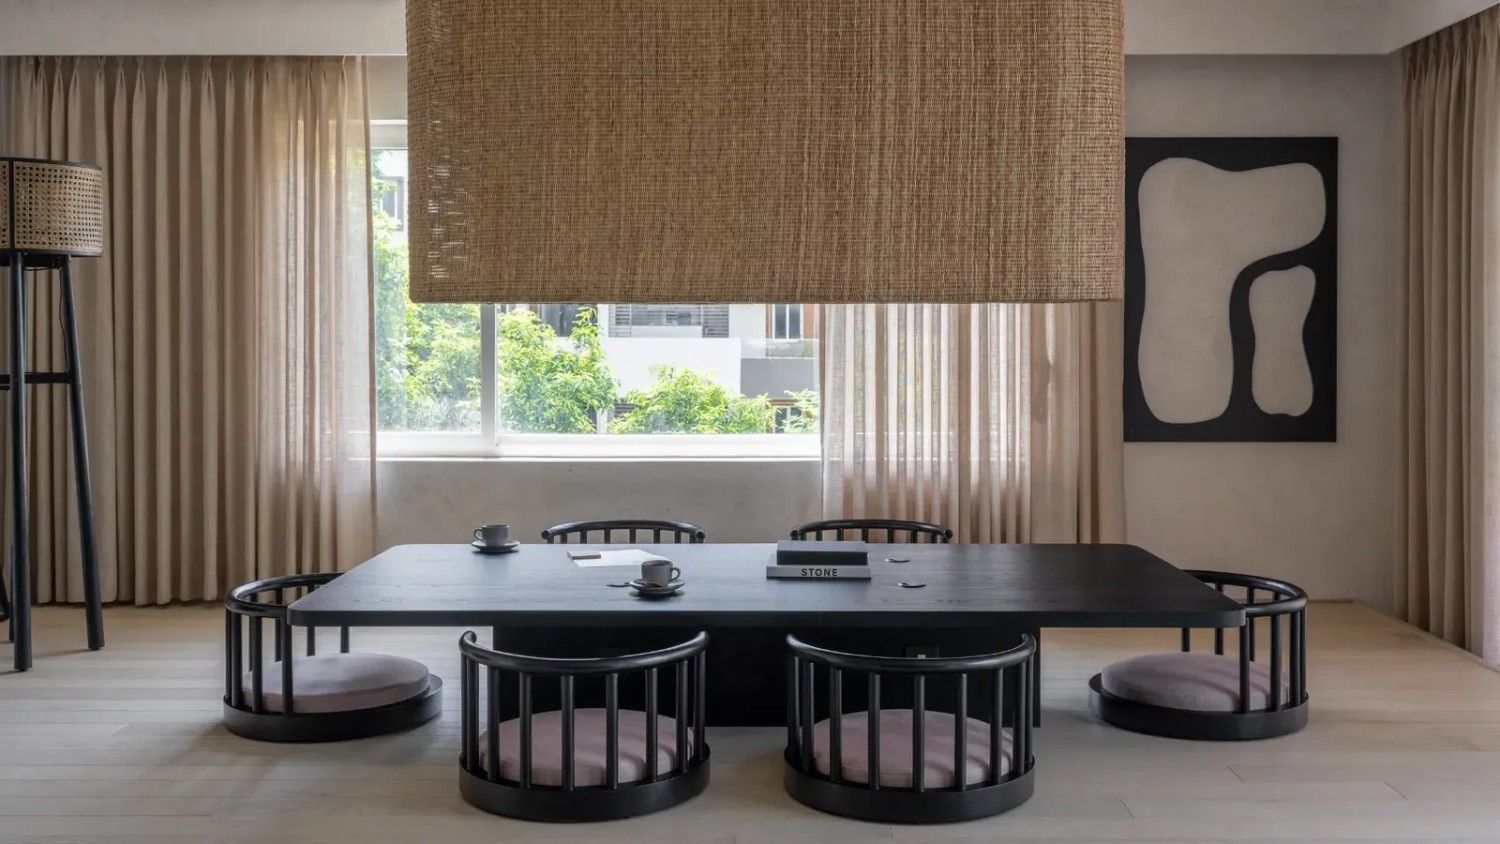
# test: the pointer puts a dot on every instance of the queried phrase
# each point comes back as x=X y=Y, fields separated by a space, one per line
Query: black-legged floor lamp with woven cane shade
x=50 y=214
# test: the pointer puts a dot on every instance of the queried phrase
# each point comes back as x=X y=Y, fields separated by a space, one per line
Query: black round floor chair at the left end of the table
x=313 y=698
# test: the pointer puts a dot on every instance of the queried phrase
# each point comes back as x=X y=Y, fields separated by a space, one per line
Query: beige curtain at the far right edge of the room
x=1448 y=554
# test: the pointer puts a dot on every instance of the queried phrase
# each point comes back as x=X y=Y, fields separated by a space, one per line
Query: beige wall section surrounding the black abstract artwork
x=1315 y=513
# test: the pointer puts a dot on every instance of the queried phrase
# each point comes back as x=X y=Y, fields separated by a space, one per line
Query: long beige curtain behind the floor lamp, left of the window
x=226 y=332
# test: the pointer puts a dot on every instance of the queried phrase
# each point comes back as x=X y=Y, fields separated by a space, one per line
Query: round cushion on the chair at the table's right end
x=1202 y=683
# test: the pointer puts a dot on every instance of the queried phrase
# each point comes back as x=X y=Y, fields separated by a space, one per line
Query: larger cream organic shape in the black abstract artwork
x=1199 y=229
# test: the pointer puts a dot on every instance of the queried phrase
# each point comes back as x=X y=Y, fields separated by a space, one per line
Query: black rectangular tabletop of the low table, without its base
x=1021 y=587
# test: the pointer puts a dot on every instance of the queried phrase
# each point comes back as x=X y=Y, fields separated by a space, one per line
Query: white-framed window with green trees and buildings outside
x=605 y=380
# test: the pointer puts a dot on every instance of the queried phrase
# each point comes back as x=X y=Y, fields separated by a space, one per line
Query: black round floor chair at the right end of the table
x=1216 y=696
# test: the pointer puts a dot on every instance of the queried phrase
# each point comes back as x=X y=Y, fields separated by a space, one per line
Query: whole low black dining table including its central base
x=973 y=599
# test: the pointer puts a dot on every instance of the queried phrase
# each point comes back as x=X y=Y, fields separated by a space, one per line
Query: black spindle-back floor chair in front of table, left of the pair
x=583 y=764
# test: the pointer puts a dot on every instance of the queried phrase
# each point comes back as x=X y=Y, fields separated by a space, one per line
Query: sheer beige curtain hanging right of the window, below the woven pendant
x=1001 y=422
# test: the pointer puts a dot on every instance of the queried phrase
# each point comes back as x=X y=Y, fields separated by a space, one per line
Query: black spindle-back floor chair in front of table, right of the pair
x=898 y=764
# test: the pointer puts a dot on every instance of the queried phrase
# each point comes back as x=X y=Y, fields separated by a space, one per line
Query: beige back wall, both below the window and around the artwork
x=1315 y=513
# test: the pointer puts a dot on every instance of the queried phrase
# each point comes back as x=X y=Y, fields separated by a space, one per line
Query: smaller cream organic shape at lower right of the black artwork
x=1282 y=380
